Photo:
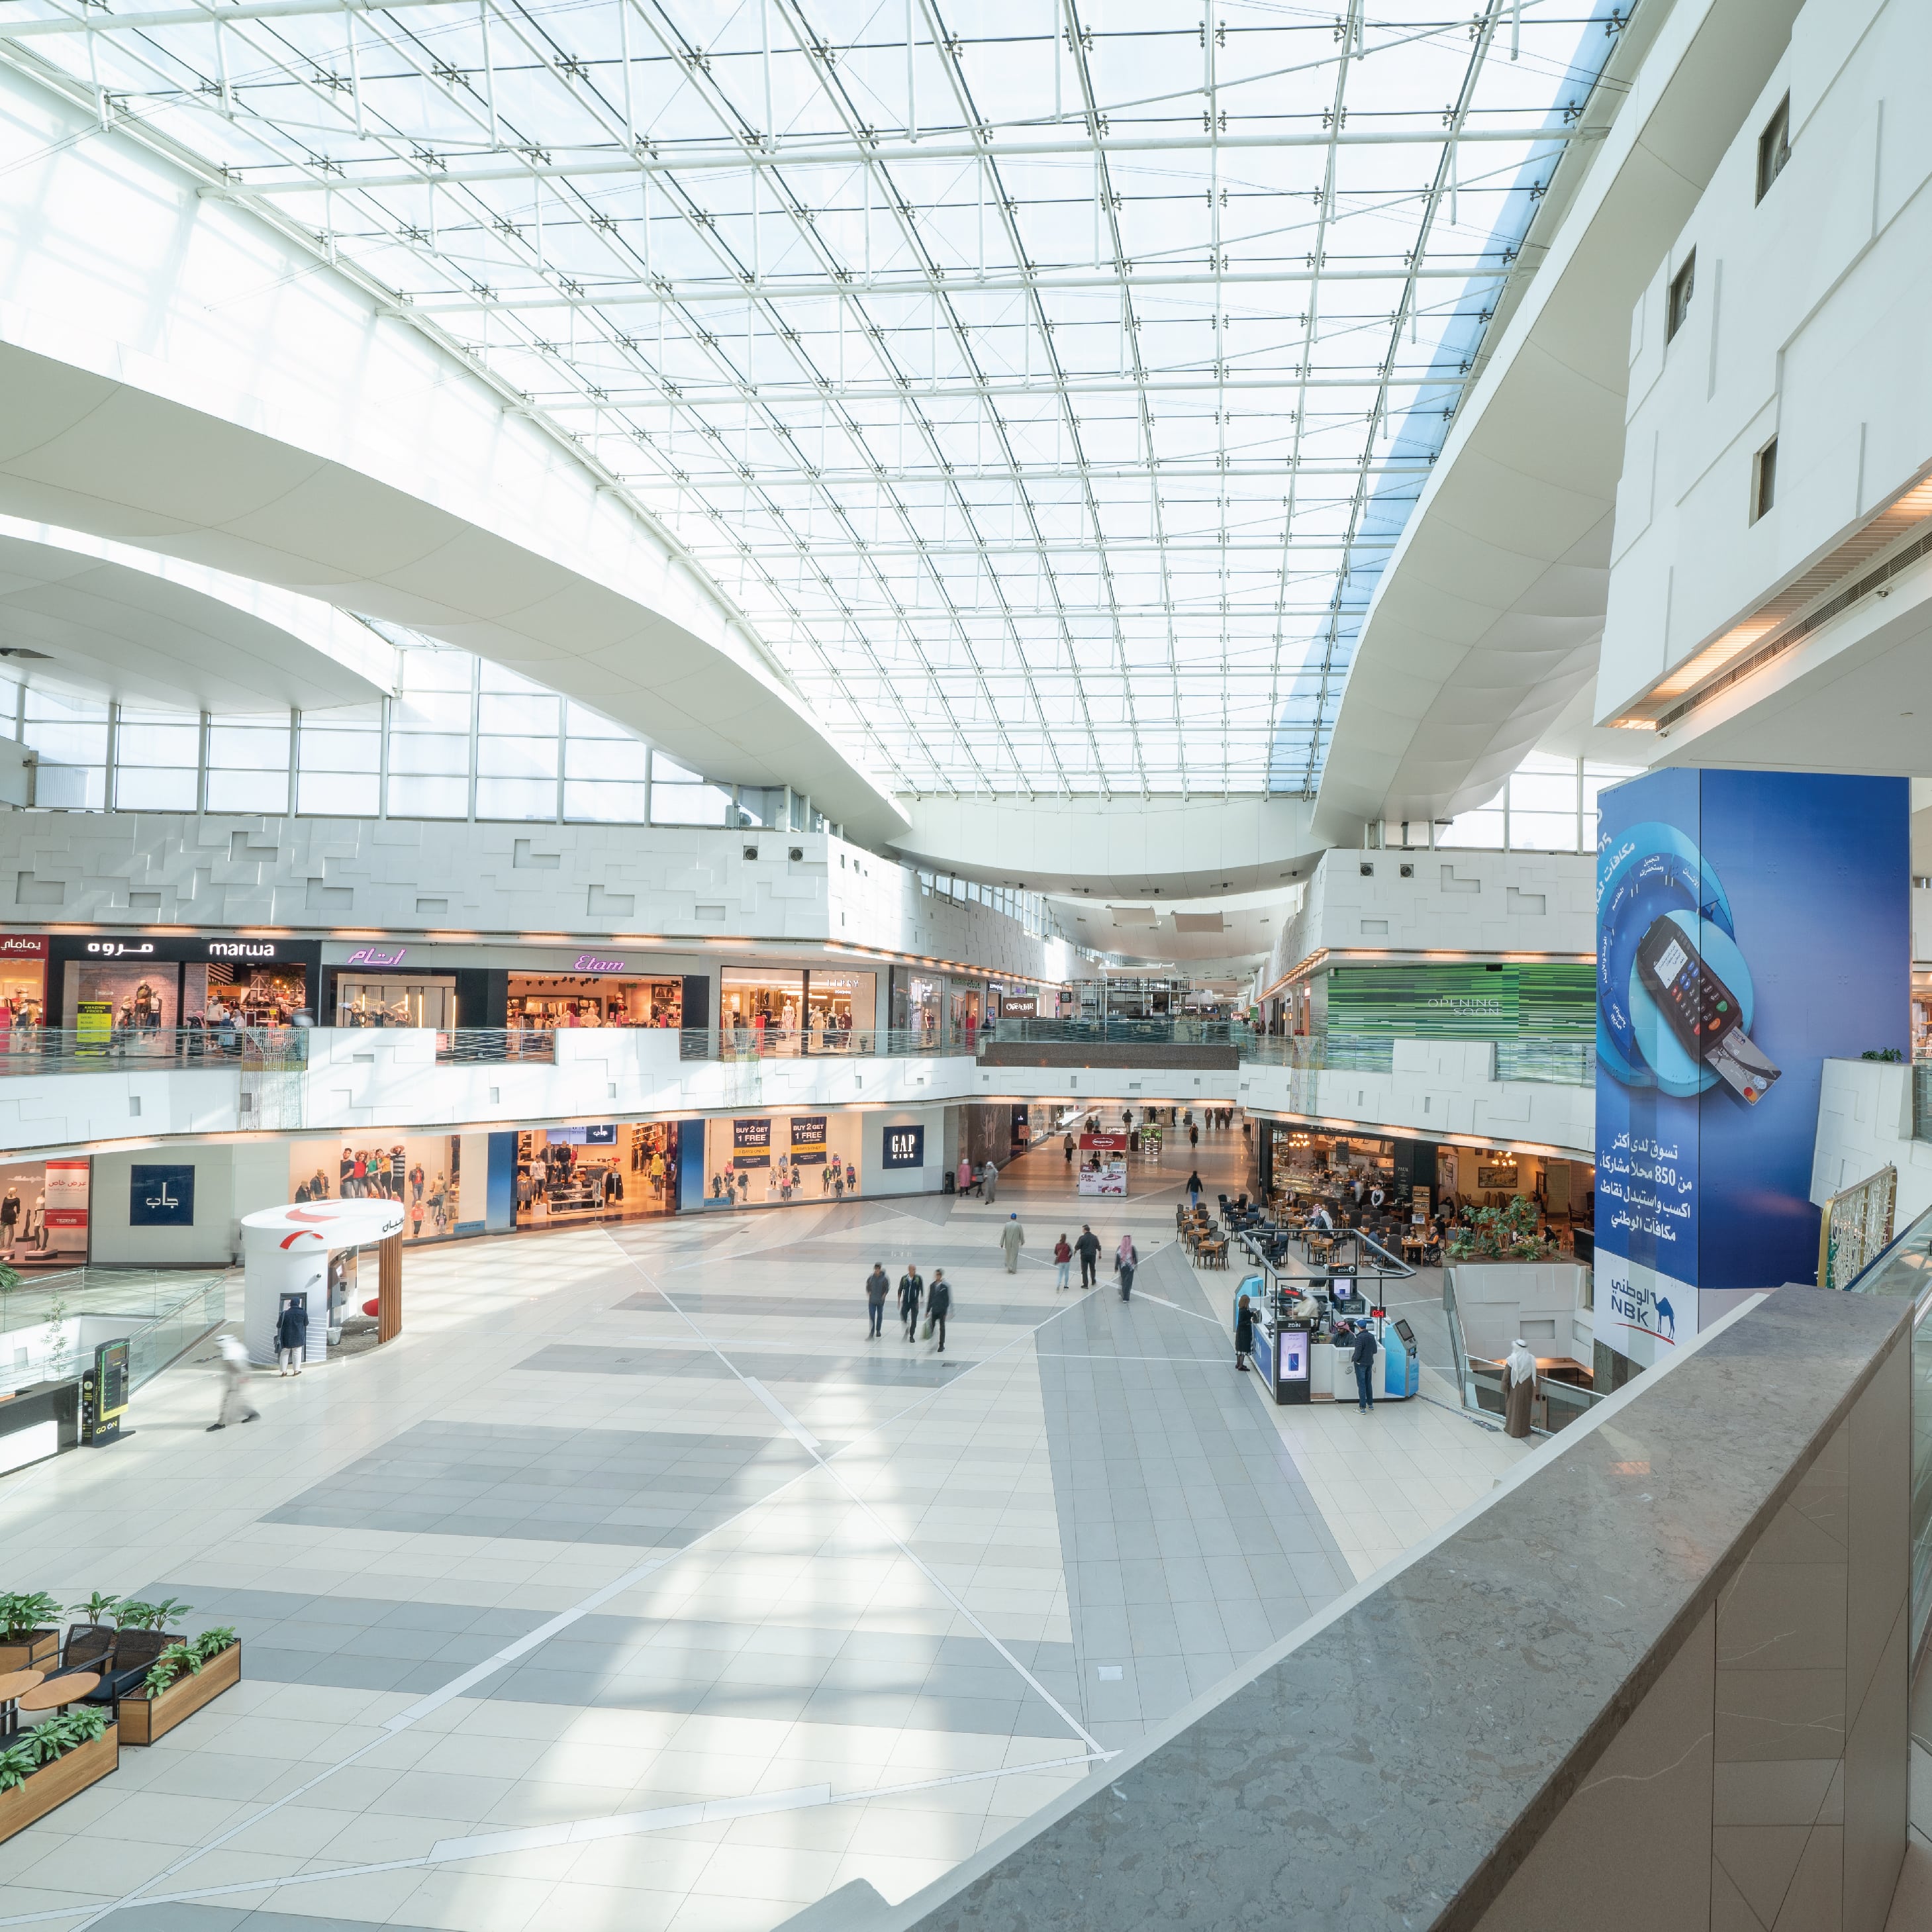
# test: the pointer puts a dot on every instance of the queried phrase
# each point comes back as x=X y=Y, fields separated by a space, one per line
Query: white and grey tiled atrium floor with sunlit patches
x=637 y=1587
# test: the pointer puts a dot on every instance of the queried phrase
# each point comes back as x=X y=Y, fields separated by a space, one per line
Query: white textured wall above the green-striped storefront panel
x=1487 y=903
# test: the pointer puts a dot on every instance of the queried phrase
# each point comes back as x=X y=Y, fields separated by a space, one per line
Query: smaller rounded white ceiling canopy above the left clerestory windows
x=156 y=631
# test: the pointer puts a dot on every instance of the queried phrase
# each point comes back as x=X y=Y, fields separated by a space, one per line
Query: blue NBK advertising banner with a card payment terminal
x=1749 y=926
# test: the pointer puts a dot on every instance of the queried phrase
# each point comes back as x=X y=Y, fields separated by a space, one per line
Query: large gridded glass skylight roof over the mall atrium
x=1044 y=382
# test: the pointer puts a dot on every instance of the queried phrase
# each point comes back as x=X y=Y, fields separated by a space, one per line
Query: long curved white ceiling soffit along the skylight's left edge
x=194 y=384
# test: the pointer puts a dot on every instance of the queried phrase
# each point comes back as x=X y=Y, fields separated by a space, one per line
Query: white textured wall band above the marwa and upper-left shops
x=499 y=880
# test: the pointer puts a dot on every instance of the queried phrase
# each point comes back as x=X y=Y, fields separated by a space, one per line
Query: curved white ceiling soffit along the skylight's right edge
x=1489 y=617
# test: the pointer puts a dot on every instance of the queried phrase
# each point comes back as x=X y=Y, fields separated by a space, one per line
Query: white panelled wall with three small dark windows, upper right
x=1805 y=324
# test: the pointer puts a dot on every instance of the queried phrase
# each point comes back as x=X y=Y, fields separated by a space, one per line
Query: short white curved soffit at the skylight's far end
x=1116 y=851
